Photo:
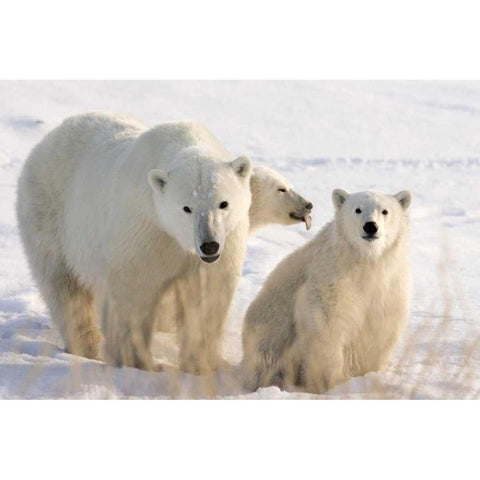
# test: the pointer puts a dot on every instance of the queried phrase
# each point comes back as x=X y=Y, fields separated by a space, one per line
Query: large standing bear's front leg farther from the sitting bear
x=131 y=295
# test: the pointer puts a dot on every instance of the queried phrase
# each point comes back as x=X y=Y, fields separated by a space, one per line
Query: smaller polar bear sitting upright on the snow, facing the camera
x=334 y=308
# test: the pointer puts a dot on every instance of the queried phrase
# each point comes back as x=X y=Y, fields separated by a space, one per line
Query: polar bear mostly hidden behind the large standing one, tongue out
x=273 y=201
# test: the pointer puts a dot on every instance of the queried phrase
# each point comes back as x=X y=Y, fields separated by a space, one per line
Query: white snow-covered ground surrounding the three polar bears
x=389 y=136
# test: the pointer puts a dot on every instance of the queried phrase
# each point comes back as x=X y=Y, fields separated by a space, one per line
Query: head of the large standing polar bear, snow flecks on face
x=201 y=200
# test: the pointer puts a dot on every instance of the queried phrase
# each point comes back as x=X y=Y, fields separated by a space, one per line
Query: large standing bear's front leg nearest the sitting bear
x=206 y=294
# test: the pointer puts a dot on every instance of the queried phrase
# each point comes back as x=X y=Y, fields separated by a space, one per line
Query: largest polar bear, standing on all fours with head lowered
x=110 y=212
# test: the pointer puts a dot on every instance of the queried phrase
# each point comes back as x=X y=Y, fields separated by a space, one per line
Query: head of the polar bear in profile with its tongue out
x=275 y=201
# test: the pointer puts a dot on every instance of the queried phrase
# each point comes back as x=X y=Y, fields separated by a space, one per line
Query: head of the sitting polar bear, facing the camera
x=371 y=221
